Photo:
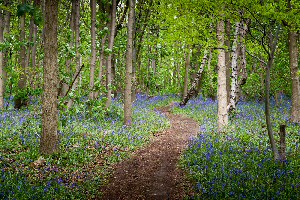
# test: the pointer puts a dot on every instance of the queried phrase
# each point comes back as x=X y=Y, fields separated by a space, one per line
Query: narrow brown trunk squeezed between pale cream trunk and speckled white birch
x=227 y=58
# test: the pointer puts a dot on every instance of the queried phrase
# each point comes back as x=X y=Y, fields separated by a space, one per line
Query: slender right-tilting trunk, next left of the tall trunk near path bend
x=109 y=58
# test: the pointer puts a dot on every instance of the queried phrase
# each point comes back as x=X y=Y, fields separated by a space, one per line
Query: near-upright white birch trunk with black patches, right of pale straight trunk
x=234 y=75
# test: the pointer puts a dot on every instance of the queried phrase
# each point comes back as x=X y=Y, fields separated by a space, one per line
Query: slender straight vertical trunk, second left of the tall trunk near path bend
x=93 y=47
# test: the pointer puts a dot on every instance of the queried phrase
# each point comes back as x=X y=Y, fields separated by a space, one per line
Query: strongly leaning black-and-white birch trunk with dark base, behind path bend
x=194 y=89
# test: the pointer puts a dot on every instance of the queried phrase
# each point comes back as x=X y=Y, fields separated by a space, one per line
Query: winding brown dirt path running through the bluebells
x=152 y=172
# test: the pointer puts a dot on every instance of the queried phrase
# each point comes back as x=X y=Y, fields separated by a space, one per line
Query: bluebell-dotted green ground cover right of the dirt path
x=239 y=164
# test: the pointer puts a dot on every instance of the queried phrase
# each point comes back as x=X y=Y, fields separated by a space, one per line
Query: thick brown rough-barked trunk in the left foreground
x=49 y=137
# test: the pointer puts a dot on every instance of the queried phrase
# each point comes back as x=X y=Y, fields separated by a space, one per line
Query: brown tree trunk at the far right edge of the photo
x=293 y=51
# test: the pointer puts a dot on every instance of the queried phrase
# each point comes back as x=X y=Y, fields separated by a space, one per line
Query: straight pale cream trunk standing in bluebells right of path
x=222 y=88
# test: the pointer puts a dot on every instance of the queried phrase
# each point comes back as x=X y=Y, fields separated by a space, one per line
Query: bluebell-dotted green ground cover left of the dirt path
x=89 y=144
